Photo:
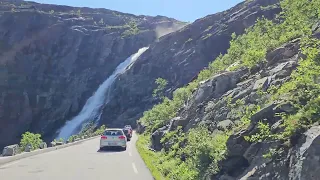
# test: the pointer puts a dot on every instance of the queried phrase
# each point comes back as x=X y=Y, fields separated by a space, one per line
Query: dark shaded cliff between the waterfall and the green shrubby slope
x=178 y=57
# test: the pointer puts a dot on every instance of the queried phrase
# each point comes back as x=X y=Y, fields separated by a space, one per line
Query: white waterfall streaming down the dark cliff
x=92 y=109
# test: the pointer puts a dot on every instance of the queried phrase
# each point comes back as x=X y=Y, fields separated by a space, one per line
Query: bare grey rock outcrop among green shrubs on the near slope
x=222 y=103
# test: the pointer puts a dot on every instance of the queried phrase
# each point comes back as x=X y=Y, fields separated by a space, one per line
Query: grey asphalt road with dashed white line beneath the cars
x=80 y=162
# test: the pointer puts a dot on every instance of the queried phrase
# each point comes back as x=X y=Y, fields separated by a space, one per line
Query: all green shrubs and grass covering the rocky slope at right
x=195 y=155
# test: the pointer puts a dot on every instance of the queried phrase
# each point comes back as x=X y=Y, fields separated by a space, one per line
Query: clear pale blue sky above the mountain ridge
x=184 y=10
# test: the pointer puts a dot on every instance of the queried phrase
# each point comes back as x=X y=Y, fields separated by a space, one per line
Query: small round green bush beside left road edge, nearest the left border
x=32 y=139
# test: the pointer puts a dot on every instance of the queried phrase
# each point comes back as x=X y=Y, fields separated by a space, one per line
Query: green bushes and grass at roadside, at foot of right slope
x=203 y=147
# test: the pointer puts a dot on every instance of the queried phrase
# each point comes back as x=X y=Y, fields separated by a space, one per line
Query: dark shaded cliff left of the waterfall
x=52 y=58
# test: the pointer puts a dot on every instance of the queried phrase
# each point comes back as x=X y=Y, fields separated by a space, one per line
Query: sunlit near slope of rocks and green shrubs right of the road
x=255 y=111
